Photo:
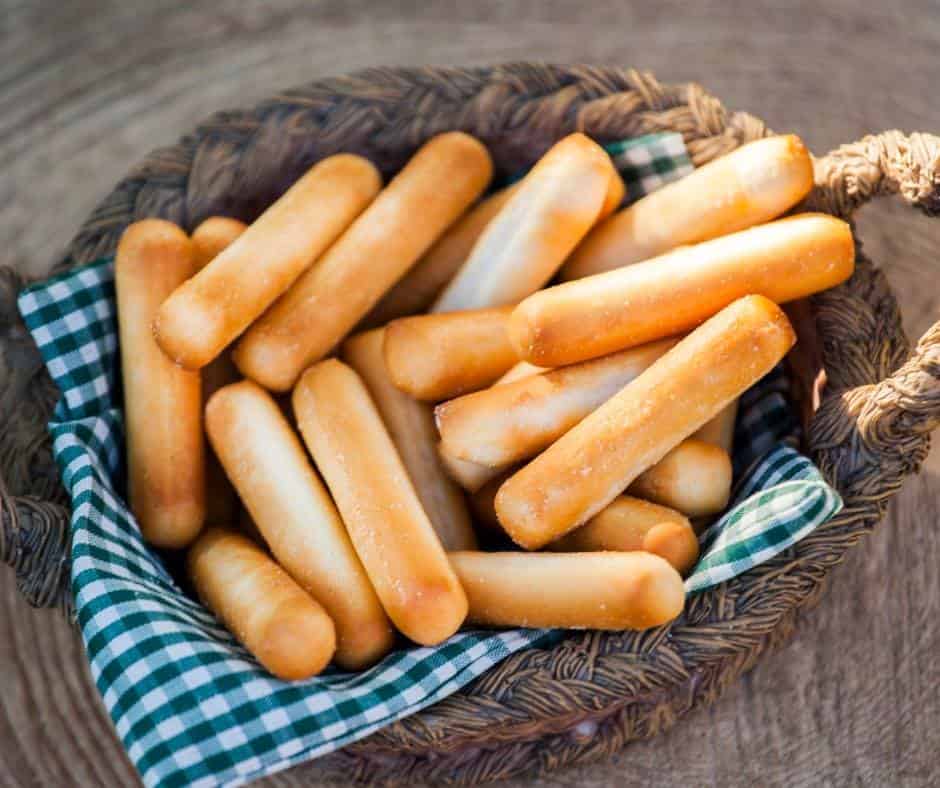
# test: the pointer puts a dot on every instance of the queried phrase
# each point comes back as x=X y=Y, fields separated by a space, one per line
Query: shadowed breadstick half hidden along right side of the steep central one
x=410 y=424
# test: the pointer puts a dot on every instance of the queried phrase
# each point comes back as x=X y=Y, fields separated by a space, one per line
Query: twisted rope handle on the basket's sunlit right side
x=886 y=423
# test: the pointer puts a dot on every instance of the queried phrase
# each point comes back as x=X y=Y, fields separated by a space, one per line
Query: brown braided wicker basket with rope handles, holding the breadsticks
x=588 y=696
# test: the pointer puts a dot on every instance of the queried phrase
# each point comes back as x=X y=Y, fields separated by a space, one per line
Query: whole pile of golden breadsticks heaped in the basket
x=589 y=420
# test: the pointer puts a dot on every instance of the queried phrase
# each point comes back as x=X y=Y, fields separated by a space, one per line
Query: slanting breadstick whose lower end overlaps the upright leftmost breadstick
x=208 y=312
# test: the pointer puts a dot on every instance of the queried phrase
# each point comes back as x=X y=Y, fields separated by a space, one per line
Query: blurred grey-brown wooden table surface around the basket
x=88 y=86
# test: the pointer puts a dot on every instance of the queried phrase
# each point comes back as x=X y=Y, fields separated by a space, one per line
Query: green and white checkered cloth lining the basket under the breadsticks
x=189 y=703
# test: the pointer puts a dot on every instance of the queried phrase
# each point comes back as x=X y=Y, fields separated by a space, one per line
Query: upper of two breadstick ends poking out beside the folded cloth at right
x=694 y=478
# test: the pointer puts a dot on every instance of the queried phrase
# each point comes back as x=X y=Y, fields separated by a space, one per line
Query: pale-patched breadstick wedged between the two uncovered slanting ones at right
x=513 y=421
